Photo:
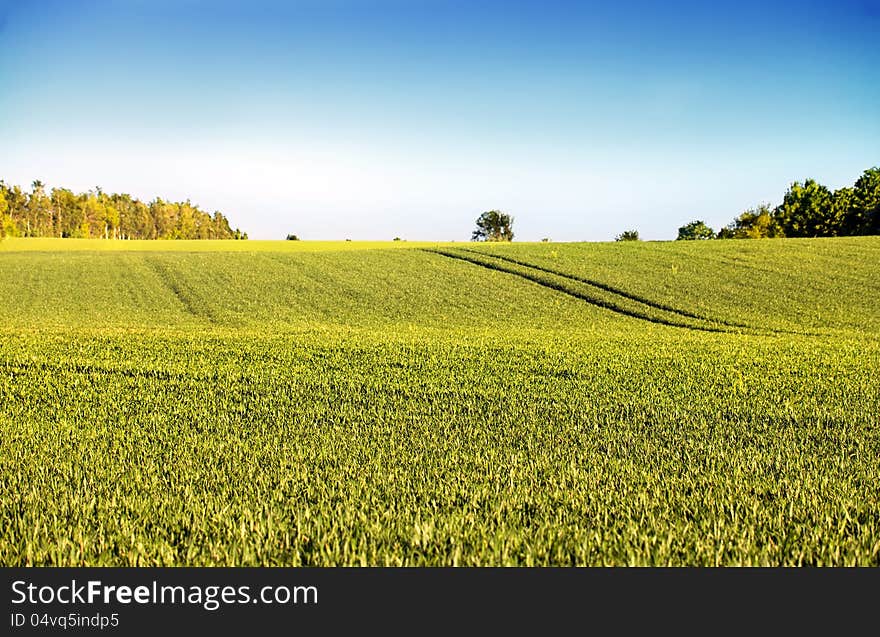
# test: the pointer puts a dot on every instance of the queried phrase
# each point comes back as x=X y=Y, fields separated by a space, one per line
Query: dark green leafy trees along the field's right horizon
x=808 y=209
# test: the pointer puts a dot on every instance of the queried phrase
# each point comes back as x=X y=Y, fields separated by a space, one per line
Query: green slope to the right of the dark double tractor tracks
x=799 y=284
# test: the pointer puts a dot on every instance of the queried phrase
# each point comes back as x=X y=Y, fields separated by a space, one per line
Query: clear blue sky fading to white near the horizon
x=370 y=119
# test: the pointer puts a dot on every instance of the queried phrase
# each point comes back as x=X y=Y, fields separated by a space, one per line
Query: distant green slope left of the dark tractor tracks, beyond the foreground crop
x=268 y=291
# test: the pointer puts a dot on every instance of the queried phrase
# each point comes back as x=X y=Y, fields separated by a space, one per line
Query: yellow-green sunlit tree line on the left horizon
x=96 y=214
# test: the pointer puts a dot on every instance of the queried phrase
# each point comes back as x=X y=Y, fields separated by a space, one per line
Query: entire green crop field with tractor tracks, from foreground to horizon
x=292 y=403
